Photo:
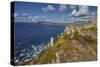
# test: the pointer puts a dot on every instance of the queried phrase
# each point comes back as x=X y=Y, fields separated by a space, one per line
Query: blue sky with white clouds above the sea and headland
x=55 y=13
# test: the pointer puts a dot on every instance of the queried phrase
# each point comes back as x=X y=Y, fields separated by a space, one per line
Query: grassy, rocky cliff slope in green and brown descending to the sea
x=76 y=43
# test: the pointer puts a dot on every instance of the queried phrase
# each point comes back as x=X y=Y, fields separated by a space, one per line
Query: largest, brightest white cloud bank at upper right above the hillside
x=84 y=12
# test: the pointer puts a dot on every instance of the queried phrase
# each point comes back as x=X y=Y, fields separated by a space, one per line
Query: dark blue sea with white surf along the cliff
x=30 y=38
